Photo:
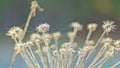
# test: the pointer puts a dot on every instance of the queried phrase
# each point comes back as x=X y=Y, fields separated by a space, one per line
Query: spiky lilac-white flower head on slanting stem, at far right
x=108 y=26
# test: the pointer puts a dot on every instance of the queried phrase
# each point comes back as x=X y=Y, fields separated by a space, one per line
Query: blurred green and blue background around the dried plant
x=59 y=14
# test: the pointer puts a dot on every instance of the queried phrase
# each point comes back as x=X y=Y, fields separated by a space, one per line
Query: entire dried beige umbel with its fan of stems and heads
x=53 y=53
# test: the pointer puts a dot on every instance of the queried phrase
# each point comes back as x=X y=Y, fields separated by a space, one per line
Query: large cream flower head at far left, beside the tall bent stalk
x=15 y=32
